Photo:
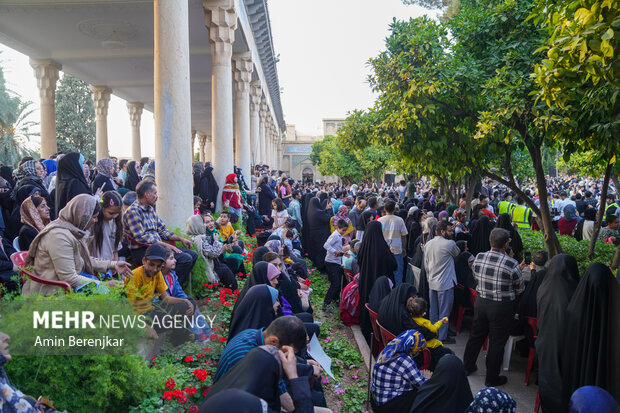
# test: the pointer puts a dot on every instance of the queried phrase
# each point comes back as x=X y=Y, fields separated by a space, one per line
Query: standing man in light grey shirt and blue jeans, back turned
x=439 y=255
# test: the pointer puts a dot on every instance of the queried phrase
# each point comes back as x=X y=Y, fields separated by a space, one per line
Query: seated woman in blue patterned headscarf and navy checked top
x=395 y=376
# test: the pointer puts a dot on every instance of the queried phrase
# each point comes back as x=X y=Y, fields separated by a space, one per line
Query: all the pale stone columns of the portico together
x=252 y=131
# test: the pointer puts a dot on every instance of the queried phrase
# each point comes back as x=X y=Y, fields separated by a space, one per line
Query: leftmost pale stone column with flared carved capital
x=46 y=73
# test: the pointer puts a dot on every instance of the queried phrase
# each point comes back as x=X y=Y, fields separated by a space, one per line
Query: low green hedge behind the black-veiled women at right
x=603 y=252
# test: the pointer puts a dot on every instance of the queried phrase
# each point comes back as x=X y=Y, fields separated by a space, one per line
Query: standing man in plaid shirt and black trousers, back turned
x=500 y=282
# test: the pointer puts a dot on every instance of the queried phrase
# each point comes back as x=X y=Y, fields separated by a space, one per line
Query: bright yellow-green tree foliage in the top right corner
x=579 y=77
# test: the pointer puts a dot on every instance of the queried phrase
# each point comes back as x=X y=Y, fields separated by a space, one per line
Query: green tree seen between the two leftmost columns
x=75 y=117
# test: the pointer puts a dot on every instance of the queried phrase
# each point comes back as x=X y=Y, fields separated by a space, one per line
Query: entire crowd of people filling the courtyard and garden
x=400 y=250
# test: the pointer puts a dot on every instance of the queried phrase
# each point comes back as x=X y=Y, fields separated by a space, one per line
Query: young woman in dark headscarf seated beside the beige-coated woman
x=108 y=230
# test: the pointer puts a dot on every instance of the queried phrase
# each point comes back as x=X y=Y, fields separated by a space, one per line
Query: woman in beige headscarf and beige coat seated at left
x=59 y=251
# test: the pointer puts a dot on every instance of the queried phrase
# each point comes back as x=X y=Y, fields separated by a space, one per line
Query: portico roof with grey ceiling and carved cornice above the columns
x=110 y=42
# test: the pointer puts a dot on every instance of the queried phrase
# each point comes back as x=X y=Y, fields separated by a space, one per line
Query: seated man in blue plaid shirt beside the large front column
x=141 y=223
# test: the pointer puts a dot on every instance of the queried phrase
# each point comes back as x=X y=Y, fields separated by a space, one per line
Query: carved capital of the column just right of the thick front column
x=221 y=21
